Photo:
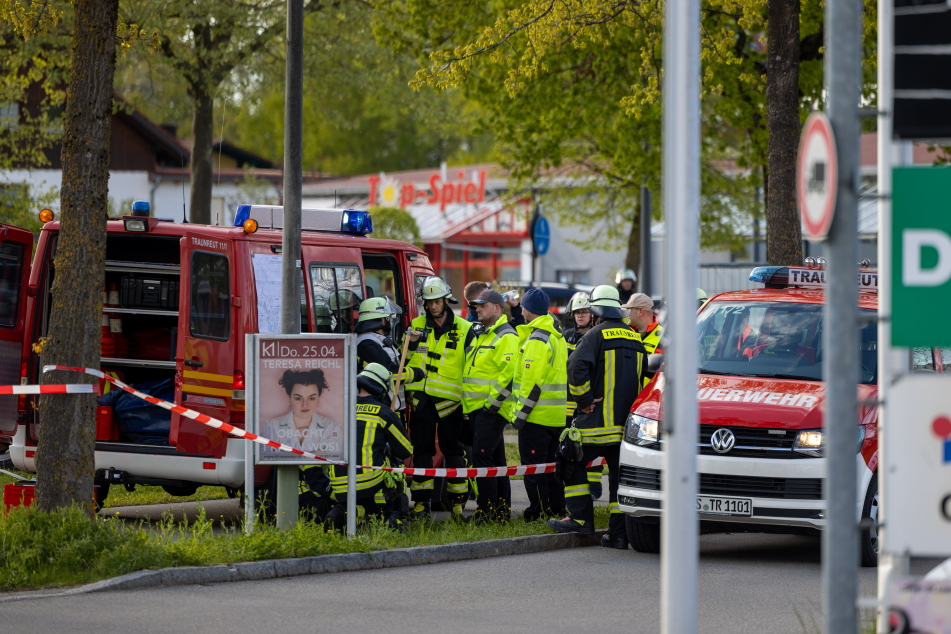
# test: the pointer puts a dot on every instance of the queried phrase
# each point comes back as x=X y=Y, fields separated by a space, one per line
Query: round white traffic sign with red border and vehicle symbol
x=817 y=175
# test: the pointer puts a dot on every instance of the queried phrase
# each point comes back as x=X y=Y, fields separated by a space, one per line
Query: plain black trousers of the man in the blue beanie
x=546 y=496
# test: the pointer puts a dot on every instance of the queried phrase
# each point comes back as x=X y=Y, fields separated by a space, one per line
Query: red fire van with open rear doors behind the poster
x=178 y=300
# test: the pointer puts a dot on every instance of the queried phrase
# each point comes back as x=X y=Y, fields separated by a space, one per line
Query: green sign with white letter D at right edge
x=921 y=256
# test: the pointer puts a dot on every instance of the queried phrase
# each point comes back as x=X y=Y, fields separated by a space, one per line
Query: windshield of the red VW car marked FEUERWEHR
x=773 y=339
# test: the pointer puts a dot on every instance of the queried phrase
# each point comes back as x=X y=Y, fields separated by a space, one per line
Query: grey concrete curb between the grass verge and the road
x=349 y=562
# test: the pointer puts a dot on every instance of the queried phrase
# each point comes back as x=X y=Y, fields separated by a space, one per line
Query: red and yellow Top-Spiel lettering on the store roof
x=389 y=192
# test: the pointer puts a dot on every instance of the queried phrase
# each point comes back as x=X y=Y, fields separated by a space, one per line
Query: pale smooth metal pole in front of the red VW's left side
x=681 y=182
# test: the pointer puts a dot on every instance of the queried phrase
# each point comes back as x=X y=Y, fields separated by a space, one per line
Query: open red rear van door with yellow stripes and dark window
x=204 y=358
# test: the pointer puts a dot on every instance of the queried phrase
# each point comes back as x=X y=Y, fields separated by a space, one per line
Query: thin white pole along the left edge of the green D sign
x=890 y=360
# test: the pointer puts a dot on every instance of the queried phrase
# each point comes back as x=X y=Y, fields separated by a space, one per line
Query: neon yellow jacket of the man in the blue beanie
x=540 y=388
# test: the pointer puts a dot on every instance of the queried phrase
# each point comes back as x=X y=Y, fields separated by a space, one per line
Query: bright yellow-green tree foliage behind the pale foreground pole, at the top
x=575 y=86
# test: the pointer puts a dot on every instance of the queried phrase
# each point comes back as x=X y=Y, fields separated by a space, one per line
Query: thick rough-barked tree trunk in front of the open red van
x=65 y=458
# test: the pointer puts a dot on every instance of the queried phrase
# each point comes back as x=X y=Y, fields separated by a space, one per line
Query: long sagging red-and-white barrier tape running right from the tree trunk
x=480 y=472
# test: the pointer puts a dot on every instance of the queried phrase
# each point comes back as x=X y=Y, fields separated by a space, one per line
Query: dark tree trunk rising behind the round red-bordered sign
x=783 y=229
